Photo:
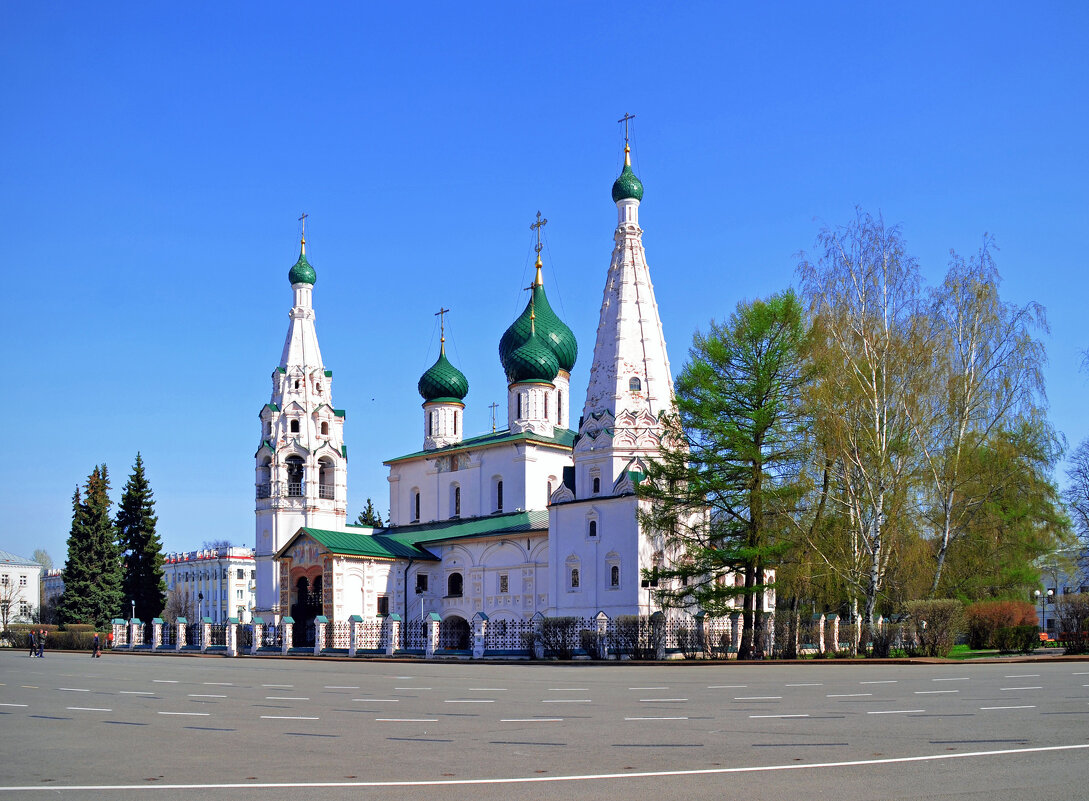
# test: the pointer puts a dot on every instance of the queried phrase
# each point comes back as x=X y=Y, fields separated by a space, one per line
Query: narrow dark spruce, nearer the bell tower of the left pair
x=141 y=548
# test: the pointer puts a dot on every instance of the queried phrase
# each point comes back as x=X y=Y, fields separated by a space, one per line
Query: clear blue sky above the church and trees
x=155 y=158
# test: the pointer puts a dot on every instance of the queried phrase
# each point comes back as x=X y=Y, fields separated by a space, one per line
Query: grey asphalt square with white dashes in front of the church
x=165 y=728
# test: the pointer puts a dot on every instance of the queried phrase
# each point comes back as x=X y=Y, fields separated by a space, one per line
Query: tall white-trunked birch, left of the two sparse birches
x=864 y=294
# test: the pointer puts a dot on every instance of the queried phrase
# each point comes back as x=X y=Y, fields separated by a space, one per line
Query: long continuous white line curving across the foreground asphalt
x=541 y=780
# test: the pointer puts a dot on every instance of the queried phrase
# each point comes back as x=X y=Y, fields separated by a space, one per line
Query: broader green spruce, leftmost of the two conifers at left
x=93 y=570
